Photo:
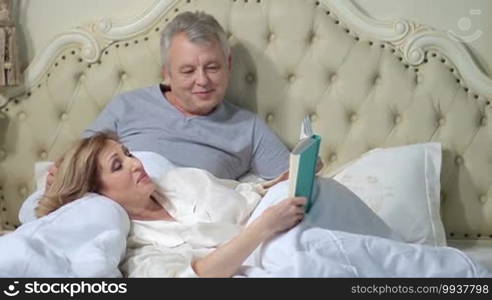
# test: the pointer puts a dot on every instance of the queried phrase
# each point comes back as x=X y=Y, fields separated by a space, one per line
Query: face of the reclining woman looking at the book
x=123 y=177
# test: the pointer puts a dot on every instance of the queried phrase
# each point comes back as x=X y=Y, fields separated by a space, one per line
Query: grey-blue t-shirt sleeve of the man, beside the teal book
x=270 y=155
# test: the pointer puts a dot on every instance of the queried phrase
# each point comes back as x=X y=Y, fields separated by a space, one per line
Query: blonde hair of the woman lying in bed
x=77 y=173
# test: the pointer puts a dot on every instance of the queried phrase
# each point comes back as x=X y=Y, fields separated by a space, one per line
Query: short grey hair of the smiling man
x=199 y=27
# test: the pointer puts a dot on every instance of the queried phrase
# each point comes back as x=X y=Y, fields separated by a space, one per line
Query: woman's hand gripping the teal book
x=282 y=216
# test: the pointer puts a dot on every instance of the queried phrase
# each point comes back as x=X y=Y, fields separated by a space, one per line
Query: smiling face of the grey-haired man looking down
x=198 y=74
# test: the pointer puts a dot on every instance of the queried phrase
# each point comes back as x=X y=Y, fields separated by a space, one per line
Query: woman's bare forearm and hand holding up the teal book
x=226 y=259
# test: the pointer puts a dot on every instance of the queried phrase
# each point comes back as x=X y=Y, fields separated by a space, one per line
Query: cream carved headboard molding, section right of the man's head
x=414 y=40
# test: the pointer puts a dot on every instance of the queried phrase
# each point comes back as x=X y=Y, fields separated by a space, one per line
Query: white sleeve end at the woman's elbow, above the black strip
x=152 y=261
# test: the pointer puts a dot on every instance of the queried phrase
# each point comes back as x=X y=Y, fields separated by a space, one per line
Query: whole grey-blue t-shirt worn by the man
x=229 y=142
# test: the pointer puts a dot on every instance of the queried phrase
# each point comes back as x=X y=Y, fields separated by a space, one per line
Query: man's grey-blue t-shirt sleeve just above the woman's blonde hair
x=107 y=120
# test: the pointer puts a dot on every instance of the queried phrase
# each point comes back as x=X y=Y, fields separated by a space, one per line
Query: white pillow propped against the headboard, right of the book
x=402 y=185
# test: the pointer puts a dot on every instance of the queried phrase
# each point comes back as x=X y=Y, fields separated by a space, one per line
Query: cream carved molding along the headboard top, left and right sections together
x=413 y=40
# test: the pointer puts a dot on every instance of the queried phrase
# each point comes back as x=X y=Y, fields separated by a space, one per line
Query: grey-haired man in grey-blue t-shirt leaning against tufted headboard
x=186 y=119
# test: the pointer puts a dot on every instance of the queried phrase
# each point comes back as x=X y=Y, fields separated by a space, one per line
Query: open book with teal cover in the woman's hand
x=302 y=165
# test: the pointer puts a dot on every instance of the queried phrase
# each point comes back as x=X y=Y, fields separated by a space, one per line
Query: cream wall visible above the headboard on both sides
x=41 y=20
